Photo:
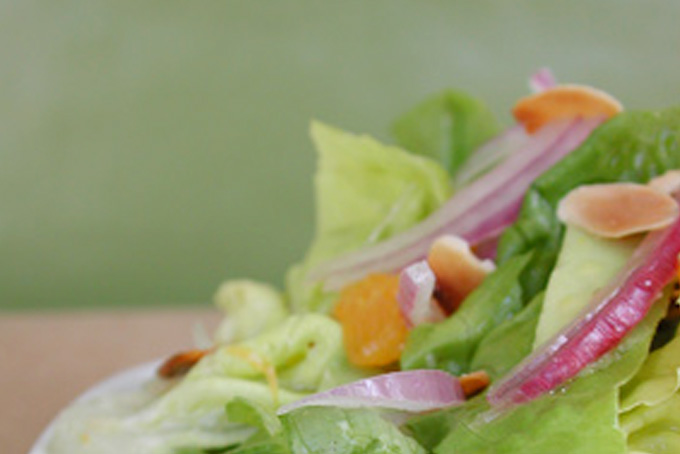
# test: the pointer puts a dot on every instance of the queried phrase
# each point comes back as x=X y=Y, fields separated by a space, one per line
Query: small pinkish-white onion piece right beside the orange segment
x=416 y=287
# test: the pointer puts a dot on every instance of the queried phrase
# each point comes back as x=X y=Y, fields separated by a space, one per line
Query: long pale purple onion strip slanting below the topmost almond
x=477 y=213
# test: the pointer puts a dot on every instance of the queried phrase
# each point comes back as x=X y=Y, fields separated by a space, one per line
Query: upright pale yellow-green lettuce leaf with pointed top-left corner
x=365 y=193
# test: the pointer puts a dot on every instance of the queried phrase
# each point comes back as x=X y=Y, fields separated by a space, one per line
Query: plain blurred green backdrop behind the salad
x=149 y=150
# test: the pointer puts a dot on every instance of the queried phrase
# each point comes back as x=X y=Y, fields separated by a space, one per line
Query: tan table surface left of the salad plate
x=48 y=359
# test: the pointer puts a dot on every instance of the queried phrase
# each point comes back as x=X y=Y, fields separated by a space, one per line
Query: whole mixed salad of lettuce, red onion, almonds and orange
x=474 y=288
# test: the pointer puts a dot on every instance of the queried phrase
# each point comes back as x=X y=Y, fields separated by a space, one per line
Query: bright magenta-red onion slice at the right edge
x=614 y=312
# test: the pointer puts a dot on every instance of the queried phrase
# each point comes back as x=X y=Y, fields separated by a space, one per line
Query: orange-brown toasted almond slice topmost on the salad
x=562 y=102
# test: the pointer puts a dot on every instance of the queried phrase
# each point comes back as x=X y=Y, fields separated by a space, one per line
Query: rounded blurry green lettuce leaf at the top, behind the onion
x=446 y=127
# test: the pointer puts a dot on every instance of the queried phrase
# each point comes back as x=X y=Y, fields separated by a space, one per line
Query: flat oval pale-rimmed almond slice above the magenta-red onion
x=617 y=210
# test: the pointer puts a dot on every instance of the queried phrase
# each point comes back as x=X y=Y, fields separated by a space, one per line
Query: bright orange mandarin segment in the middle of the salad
x=374 y=330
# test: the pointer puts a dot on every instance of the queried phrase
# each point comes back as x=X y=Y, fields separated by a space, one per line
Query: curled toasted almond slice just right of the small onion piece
x=457 y=269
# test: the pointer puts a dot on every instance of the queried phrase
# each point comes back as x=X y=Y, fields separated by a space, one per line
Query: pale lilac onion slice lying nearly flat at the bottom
x=412 y=391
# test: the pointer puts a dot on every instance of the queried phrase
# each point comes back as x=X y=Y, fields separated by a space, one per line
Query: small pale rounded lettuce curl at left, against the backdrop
x=249 y=308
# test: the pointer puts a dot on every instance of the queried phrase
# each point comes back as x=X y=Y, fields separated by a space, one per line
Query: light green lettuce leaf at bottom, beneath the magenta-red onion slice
x=555 y=420
